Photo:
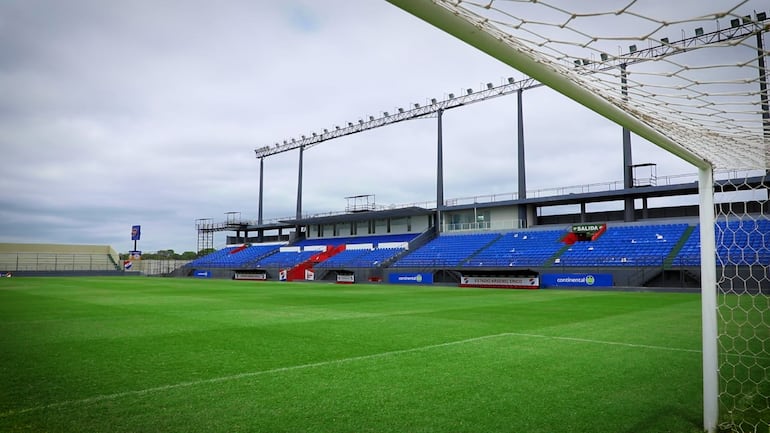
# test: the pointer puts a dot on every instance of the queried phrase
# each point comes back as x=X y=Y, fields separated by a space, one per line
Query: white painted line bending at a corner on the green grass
x=141 y=392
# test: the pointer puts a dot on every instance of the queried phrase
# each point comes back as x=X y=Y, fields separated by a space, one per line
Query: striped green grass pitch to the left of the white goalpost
x=182 y=355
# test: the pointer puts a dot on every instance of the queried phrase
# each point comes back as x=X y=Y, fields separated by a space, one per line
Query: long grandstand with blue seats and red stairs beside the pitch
x=497 y=242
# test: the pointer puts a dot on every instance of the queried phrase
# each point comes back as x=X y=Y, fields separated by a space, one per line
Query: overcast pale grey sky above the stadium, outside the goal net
x=116 y=113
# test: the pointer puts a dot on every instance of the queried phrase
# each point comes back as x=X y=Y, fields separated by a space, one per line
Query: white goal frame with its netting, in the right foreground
x=689 y=77
